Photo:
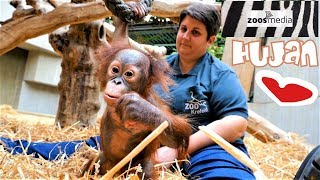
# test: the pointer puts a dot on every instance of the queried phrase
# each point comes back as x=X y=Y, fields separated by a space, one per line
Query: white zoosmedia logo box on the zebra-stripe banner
x=270 y=18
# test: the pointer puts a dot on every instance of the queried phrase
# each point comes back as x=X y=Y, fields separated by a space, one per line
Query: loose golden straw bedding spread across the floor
x=278 y=160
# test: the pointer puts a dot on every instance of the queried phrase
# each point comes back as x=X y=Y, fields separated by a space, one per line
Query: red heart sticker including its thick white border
x=286 y=91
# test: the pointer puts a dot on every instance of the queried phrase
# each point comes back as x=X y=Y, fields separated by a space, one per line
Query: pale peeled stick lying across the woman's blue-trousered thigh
x=241 y=156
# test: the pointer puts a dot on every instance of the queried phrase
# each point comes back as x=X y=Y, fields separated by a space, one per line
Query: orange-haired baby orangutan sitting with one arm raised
x=133 y=110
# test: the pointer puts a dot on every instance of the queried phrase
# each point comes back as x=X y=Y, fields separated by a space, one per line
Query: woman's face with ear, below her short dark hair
x=191 y=41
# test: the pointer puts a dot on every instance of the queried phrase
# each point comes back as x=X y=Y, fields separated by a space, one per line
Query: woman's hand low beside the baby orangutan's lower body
x=166 y=156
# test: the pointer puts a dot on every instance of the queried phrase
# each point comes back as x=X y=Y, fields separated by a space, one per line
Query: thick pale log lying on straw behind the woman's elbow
x=264 y=130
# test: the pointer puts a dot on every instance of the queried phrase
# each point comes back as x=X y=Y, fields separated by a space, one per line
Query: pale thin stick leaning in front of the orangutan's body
x=136 y=150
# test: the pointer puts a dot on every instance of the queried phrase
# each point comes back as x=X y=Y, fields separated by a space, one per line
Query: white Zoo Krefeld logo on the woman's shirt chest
x=196 y=106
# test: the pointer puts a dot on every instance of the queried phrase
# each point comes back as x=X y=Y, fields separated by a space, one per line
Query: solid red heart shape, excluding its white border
x=290 y=93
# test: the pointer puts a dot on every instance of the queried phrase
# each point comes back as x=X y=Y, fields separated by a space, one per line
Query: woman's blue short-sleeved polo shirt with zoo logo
x=210 y=91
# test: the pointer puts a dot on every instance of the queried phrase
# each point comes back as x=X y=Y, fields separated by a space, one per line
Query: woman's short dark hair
x=207 y=14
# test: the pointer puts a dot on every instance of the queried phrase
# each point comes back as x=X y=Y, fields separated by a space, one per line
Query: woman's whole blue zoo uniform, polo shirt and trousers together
x=210 y=91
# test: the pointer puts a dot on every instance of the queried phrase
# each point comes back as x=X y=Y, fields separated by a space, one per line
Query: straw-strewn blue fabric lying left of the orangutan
x=47 y=150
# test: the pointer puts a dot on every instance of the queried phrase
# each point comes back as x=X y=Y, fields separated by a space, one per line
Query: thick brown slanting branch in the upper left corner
x=20 y=30
